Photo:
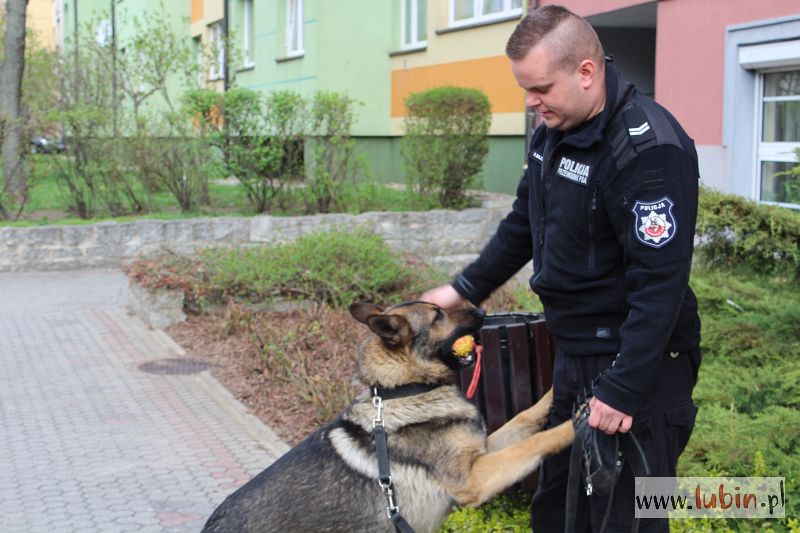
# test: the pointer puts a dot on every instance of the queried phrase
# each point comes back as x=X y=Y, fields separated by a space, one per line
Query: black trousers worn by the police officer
x=663 y=425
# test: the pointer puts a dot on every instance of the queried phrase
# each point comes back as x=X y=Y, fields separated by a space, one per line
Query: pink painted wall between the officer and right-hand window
x=690 y=52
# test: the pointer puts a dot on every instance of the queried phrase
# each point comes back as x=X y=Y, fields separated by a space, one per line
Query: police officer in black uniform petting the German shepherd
x=607 y=211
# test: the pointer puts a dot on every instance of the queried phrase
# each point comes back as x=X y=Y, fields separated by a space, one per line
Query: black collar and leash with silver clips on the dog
x=382 y=447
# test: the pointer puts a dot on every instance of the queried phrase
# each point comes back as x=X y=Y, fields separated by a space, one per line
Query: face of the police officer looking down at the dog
x=561 y=97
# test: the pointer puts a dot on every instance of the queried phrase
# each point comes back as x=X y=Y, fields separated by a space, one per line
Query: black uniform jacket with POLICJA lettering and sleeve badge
x=607 y=212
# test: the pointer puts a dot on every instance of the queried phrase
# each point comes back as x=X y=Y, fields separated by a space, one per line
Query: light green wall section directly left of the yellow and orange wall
x=343 y=53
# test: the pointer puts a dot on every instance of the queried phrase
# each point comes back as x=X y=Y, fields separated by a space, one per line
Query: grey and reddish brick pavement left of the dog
x=97 y=431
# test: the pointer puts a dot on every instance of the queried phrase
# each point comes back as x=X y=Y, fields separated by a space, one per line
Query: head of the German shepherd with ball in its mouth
x=413 y=341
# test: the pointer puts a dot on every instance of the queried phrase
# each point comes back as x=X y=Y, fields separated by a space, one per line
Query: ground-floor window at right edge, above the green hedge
x=779 y=138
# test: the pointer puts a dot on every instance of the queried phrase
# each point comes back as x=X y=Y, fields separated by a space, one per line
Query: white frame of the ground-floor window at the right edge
x=779 y=152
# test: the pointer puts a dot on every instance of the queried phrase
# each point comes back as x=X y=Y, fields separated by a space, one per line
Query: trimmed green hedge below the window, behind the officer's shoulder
x=736 y=232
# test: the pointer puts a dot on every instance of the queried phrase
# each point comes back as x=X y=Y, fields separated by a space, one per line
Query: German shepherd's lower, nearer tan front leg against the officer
x=496 y=471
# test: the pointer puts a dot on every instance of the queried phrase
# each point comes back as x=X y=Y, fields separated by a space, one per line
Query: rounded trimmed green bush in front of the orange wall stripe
x=446 y=142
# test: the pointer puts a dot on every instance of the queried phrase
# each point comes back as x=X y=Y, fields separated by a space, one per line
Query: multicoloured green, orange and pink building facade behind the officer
x=729 y=70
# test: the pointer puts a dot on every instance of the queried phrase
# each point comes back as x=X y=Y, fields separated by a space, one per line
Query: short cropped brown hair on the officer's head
x=570 y=36
